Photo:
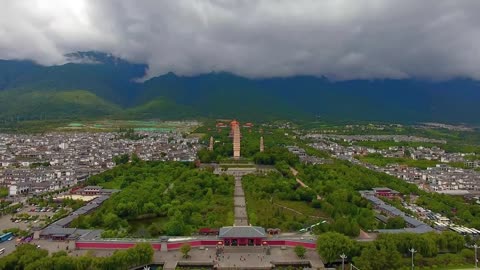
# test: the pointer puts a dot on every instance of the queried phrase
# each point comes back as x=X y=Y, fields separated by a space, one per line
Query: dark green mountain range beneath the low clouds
x=106 y=86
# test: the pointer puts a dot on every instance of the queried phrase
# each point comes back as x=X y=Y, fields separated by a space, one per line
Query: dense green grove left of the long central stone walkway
x=183 y=197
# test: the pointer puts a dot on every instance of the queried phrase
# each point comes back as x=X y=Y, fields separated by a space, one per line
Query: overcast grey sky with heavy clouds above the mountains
x=339 y=39
